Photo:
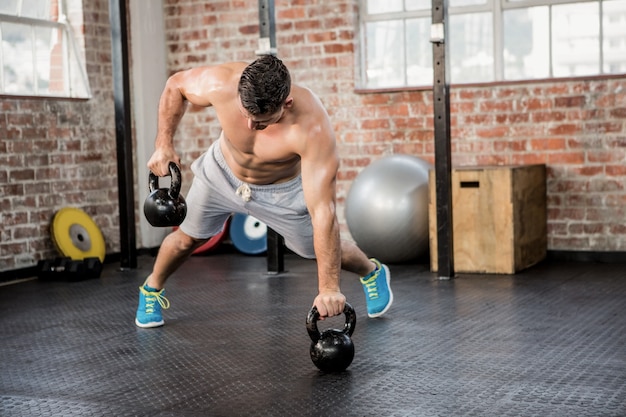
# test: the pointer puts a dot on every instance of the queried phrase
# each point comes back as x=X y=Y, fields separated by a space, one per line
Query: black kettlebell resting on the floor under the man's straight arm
x=331 y=350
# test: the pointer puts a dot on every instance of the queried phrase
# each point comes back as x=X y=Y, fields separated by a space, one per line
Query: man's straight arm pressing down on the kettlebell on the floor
x=319 y=164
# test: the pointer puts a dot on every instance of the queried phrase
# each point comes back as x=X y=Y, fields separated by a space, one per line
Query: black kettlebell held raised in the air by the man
x=165 y=207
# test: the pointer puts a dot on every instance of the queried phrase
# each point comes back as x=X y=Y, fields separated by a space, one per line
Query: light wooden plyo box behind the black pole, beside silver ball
x=498 y=216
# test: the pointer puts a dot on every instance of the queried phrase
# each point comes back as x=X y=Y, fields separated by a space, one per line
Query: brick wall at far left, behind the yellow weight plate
x=57 y=153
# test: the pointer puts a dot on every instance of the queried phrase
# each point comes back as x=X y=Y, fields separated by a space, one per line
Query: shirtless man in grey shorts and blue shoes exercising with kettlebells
x=275 y=160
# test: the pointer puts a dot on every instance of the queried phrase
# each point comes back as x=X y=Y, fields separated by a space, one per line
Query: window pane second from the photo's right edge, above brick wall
x=575 y=39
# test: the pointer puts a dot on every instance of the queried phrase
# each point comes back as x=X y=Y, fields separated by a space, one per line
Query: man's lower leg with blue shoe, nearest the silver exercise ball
x=374 y=276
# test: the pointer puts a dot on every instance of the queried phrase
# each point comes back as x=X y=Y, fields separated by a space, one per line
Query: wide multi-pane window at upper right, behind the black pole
x=492 y=40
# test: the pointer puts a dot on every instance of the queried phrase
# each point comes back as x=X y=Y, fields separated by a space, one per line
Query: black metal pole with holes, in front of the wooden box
x=443 y=164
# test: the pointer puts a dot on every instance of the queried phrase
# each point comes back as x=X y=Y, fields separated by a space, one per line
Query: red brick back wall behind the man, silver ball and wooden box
x=577 y=127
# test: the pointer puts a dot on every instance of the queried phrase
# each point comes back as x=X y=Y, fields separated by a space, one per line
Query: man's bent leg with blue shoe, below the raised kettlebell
x=175 y=249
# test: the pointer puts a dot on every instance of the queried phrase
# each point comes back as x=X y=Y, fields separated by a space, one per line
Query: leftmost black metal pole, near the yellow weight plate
x=121 y=94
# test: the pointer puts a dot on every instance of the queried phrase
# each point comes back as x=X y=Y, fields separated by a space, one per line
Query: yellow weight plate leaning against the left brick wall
x=76 y=235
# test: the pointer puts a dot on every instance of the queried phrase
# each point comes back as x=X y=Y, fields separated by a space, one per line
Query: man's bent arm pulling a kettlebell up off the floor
x=196 y=86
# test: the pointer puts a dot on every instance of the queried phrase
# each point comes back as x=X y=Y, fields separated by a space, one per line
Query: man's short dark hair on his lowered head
x=264 y=86
